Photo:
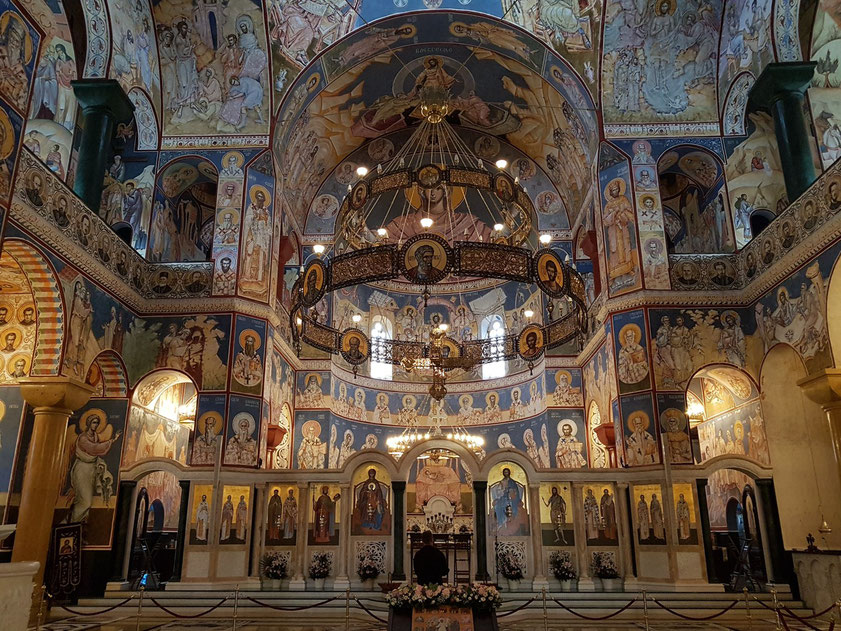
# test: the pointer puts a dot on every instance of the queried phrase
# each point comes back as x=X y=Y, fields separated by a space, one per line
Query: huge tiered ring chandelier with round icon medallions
x=421 y=246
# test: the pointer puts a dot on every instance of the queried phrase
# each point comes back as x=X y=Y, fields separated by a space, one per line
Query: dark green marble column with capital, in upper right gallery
x=780 y=89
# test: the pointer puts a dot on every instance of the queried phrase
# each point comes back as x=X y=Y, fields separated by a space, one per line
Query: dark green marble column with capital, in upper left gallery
x=104 y=104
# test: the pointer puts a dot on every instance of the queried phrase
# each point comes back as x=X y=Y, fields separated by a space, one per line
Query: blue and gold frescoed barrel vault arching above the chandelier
x=512 y=87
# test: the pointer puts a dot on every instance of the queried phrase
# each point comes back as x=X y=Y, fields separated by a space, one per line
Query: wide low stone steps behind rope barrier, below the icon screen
x=308 y=608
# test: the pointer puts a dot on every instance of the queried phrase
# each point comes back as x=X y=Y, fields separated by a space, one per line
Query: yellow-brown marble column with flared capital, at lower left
x=53 y=400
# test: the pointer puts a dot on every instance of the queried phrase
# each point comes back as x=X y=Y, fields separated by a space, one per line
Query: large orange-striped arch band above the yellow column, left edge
x=49 y=306
